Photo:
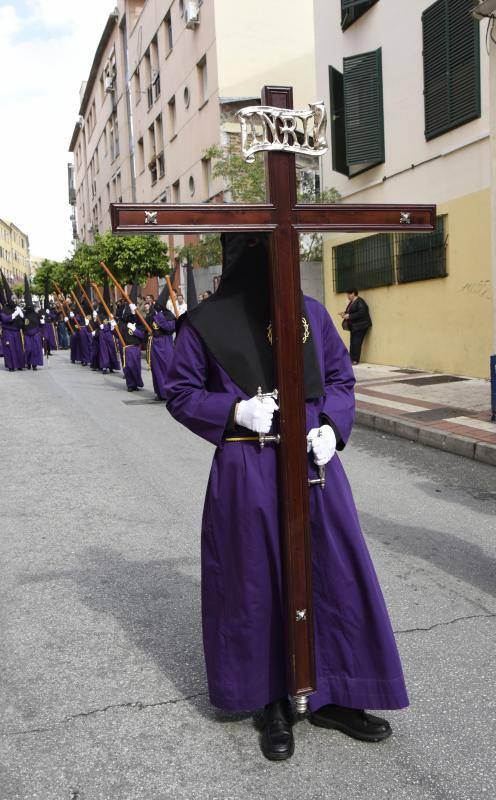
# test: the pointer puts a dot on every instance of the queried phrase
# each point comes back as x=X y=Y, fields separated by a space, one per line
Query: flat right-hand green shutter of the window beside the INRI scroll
x=363 y=111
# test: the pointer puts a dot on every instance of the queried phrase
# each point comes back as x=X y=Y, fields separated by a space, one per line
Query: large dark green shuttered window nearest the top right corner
x=451 y=66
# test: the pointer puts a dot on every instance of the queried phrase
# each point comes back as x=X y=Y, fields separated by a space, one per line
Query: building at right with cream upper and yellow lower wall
x=407 y=89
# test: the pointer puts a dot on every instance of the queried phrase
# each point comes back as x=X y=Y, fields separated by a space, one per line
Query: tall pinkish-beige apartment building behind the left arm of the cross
x=167 y=79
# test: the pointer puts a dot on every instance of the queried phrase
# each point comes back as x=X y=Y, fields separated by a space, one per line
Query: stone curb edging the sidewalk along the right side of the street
x=448 y=442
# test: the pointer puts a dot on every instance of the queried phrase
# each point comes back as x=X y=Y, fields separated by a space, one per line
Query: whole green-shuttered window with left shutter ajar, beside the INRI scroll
x=357 y=114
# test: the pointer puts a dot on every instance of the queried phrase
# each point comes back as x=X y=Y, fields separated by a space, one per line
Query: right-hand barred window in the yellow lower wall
x=422 y=255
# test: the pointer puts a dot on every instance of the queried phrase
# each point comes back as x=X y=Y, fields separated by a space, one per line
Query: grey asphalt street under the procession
x=102 y=676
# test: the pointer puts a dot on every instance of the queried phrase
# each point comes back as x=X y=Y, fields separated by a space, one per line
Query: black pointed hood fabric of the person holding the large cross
x=234 y=323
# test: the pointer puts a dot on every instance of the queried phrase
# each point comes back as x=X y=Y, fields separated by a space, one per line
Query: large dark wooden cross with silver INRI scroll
x=283 y=218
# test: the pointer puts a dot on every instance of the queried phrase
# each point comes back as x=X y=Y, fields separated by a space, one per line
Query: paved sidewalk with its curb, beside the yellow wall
x=449 y=412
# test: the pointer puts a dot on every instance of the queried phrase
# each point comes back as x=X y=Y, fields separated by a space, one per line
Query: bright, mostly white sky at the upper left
x=46 y=51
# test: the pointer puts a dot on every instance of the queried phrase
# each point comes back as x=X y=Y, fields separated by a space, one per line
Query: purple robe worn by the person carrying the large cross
x=357 y=661
